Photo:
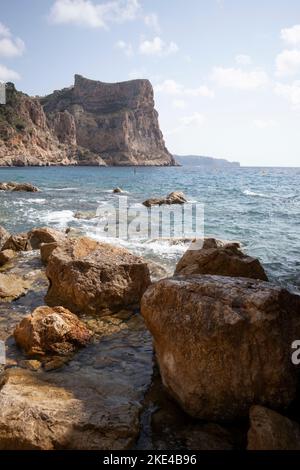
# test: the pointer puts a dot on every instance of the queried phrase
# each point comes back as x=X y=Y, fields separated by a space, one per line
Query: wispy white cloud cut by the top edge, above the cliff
x=93 y=15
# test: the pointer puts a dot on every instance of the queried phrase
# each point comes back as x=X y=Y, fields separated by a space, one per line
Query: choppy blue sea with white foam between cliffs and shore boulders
x=259 y=207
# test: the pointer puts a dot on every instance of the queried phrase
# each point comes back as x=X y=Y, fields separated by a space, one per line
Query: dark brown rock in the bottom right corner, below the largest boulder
x=271 y=431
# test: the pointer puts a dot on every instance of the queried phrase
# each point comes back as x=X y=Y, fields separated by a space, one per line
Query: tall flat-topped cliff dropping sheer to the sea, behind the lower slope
x=116 y=122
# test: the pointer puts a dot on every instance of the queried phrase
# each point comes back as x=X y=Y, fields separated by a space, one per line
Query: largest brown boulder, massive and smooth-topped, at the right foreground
x=223 y=344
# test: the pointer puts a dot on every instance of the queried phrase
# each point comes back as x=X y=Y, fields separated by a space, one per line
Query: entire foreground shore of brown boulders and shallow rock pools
x=116 y=358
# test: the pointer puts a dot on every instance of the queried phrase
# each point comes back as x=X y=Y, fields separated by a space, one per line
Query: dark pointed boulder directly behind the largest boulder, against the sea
x=221 y=258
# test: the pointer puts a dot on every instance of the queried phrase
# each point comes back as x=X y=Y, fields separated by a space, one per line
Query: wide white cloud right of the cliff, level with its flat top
x=239 y=79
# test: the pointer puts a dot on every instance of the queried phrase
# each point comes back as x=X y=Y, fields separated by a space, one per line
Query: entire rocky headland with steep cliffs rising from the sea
x=90 y=123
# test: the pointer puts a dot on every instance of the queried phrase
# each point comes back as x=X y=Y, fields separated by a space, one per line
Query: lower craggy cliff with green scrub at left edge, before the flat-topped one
x=25 y=135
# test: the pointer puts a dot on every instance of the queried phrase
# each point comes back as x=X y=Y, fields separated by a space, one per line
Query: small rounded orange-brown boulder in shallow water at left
x=51 y=330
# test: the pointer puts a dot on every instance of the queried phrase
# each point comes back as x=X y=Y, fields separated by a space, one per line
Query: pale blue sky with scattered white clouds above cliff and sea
x=226 y=73
